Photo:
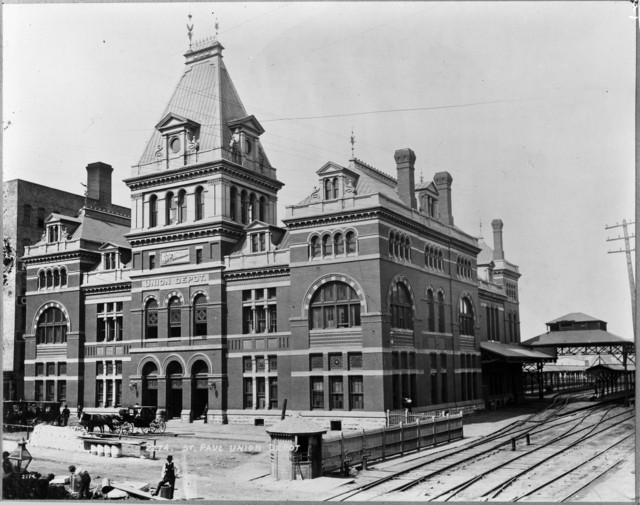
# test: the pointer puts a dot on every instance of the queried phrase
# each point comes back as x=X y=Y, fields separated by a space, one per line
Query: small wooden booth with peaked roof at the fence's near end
x=296 y=449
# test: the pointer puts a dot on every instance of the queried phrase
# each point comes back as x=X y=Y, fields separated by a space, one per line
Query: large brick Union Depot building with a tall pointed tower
x=202 y=305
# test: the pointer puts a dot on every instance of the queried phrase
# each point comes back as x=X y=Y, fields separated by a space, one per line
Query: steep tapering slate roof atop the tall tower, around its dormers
x=205 y=94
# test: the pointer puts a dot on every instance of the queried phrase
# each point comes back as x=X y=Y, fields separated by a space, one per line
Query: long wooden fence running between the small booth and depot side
x=382 y=443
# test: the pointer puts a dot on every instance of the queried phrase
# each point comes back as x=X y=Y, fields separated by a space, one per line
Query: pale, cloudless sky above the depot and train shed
x=551 y=154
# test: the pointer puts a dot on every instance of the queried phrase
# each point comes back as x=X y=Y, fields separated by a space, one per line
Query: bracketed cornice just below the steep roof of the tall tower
x=158 y=178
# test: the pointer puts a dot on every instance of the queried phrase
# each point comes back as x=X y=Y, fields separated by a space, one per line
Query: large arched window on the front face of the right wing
x=334 y=305
